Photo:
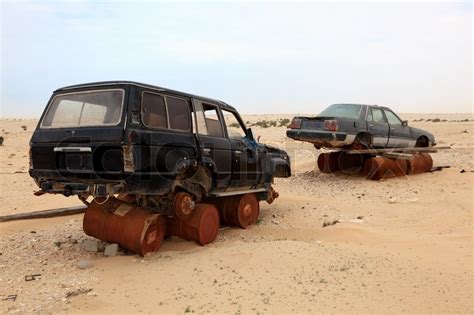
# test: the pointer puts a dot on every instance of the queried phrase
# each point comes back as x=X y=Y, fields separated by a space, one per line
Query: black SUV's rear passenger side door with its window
x=214 y=146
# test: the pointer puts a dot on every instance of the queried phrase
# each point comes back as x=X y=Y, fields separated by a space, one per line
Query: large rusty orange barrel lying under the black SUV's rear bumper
x=134 y=228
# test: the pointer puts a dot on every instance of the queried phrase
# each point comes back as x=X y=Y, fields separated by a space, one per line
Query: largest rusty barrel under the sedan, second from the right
x=377 y=168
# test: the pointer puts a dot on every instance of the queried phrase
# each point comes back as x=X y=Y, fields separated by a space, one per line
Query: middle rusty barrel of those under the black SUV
x=202 y=226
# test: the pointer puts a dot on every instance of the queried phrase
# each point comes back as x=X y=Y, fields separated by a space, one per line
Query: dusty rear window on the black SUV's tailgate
x=80 y=109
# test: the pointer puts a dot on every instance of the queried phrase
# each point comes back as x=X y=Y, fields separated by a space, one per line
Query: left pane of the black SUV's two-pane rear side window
x=154 y=110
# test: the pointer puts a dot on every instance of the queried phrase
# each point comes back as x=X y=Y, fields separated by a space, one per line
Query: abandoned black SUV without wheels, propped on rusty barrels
x=108 y=138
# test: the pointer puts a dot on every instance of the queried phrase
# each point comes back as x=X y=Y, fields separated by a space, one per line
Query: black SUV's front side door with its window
x=245 y=172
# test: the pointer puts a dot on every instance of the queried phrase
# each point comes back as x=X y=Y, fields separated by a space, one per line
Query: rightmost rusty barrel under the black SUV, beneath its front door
x=240 y=211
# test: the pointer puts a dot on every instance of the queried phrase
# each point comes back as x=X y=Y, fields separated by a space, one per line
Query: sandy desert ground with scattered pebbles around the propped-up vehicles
x=412 y=254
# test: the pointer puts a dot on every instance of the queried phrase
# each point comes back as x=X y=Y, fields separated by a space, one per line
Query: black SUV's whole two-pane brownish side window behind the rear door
x=165 y=112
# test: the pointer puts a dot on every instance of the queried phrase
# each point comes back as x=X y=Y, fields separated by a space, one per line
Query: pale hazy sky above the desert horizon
x=266 y=57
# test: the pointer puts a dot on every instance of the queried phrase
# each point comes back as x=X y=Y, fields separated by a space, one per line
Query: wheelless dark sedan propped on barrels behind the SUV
x=355 y=126
